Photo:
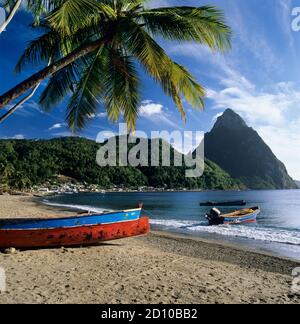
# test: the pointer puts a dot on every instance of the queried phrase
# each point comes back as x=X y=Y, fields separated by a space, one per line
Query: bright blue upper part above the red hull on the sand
x=82 y=220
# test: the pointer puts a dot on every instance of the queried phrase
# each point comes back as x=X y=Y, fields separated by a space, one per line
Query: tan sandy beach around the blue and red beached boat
x=159 y=268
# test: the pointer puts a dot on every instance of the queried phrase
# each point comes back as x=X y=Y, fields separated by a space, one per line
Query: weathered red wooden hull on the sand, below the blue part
x=73 y=236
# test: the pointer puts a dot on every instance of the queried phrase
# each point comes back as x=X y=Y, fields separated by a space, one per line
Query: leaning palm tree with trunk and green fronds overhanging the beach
x=96 y=47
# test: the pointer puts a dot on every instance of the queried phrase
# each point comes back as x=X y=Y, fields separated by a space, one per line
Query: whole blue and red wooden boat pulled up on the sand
x=72 y=231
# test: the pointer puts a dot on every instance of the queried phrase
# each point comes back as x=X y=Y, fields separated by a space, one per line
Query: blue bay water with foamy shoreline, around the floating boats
x=277 y=229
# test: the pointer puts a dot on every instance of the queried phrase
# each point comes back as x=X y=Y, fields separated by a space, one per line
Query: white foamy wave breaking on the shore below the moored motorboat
x=240 y=231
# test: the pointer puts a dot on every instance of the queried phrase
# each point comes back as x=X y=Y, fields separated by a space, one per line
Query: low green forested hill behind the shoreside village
x=25 y=163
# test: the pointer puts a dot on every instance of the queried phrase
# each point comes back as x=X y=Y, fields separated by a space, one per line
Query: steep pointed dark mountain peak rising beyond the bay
x=240 y=151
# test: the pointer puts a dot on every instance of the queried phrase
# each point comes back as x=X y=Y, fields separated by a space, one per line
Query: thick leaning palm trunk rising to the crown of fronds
x=38 y=77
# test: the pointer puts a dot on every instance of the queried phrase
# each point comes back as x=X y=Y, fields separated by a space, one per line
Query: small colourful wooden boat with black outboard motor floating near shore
x=247 y=215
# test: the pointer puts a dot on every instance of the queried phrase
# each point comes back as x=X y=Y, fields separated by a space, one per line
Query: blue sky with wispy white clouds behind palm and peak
x=259 y=78
